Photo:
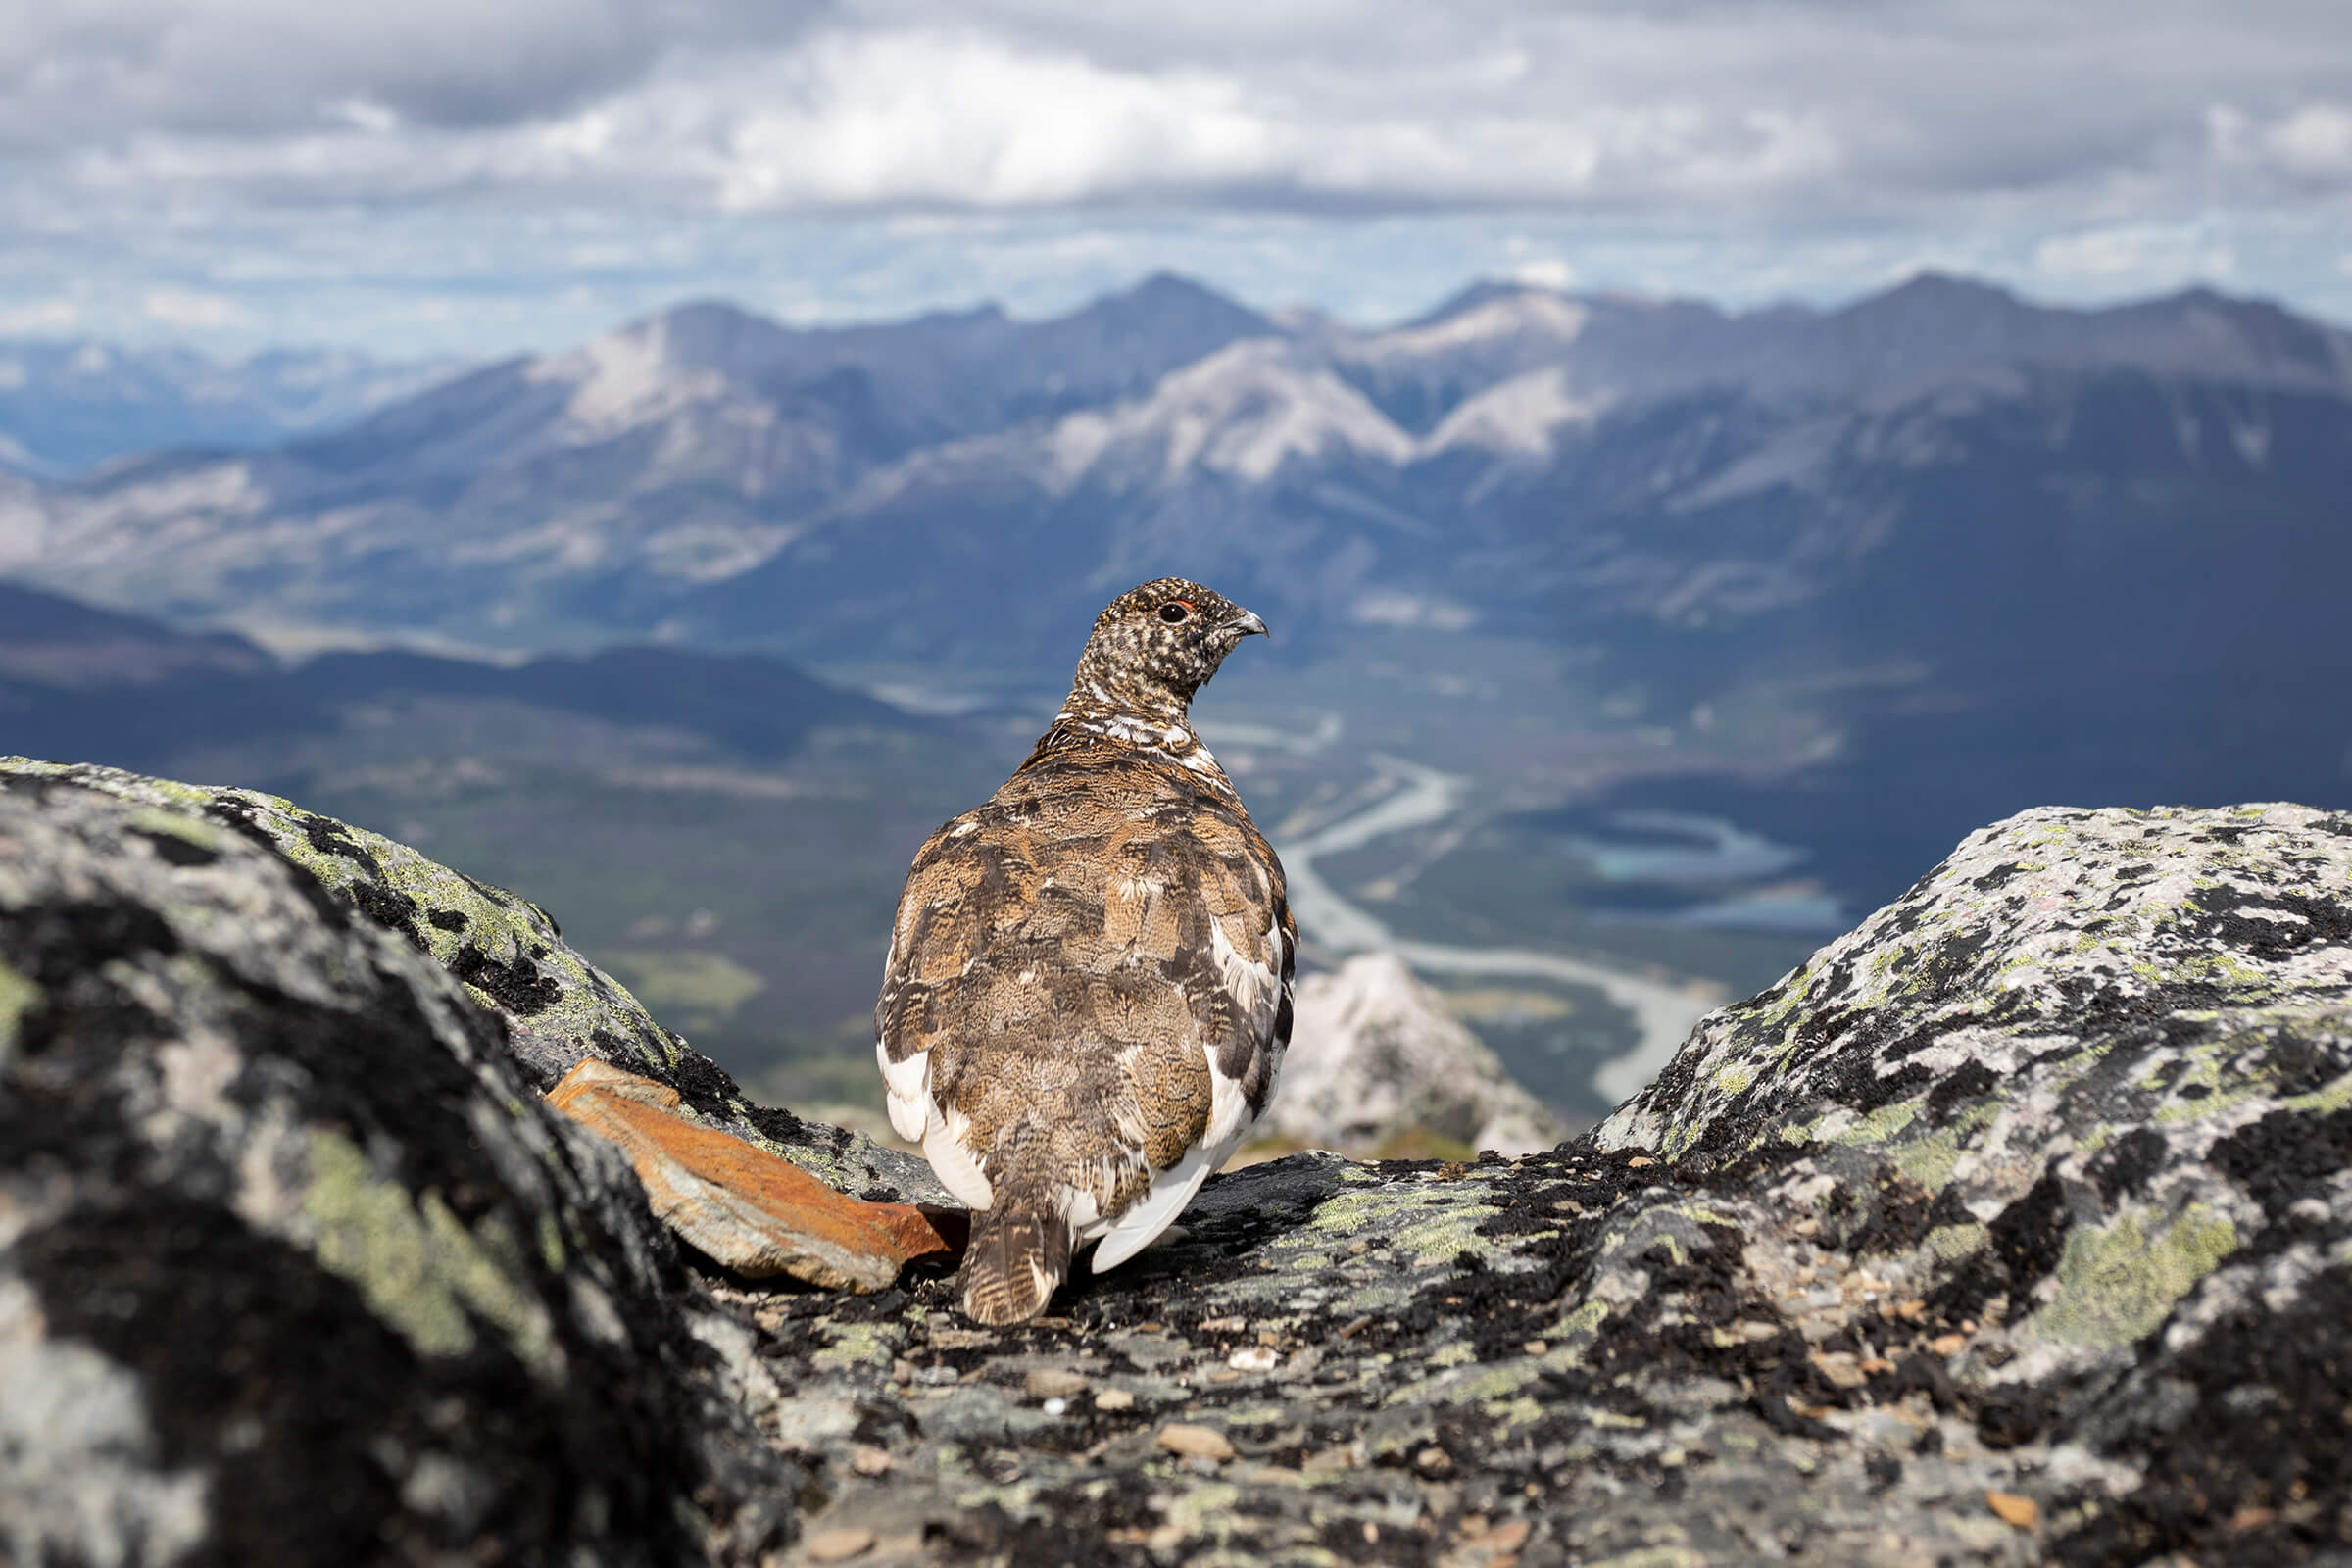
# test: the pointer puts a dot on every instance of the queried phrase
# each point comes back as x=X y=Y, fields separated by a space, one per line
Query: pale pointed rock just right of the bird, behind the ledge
x=1375 y=1057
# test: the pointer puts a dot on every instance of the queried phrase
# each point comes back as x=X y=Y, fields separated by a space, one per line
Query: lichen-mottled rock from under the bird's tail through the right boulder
x=2012 y=1228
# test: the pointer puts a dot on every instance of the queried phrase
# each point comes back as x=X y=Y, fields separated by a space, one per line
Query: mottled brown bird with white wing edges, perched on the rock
x=1088 y=991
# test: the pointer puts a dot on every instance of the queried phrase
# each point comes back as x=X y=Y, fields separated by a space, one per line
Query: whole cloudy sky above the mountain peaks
x=490 y=175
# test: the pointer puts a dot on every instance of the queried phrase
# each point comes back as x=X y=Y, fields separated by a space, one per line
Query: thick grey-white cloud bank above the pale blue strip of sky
x=1803 y=109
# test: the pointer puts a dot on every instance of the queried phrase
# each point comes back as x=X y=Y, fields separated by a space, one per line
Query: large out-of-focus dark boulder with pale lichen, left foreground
x=293 y=1264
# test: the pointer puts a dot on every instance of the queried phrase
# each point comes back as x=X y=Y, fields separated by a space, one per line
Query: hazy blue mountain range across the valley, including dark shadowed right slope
x=2012 y=554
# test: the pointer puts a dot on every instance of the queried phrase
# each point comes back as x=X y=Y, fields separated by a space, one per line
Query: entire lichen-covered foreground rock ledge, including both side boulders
x=2012 y=1228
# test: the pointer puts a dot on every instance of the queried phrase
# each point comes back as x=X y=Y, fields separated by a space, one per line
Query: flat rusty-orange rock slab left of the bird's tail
x=744 y=1207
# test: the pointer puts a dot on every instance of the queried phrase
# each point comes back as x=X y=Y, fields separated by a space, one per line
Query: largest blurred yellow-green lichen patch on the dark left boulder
x=417 y=1264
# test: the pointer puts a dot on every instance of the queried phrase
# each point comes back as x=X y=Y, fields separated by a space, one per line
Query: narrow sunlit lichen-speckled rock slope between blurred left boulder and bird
x=559 y=1007
